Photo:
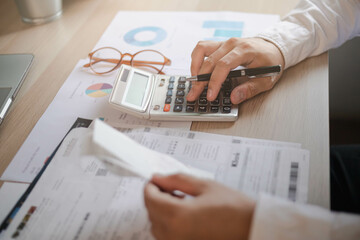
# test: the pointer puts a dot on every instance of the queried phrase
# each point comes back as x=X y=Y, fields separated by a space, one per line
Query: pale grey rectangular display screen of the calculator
x=136 y=91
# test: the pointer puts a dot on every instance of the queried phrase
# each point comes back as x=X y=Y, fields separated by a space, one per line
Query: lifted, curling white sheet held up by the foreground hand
x=121 y=154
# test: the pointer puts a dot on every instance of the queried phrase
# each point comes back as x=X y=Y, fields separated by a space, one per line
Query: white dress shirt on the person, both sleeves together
x=310 y=29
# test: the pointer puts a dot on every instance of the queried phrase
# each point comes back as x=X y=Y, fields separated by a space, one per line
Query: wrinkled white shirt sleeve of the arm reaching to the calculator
x=314 y=27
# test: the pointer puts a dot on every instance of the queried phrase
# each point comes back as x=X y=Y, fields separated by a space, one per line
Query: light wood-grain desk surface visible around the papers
x=295 y=110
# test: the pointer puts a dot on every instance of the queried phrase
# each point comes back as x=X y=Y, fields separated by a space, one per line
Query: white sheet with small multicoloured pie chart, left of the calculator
x=72 y=101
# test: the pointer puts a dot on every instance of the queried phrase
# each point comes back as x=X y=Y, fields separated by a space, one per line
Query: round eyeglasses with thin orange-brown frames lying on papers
x=108 y=59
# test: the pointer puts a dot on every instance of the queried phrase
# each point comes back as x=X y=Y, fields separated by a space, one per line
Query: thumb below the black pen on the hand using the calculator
x=251 y=88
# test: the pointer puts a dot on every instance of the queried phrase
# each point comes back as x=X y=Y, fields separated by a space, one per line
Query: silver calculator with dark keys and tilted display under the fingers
x=163 y=97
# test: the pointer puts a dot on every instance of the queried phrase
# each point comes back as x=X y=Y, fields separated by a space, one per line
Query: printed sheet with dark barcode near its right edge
x=249 y=168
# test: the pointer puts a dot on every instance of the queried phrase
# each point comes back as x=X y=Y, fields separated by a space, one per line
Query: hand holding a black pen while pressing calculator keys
x=224 y=56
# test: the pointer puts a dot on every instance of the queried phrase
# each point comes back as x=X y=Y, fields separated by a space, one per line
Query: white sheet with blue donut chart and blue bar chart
x=175 y=34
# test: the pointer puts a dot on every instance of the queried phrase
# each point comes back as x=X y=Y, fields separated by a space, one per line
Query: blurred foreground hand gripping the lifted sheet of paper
x=214 y=211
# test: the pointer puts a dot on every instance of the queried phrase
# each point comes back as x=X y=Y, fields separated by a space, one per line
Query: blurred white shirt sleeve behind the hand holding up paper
x=278 y=219
